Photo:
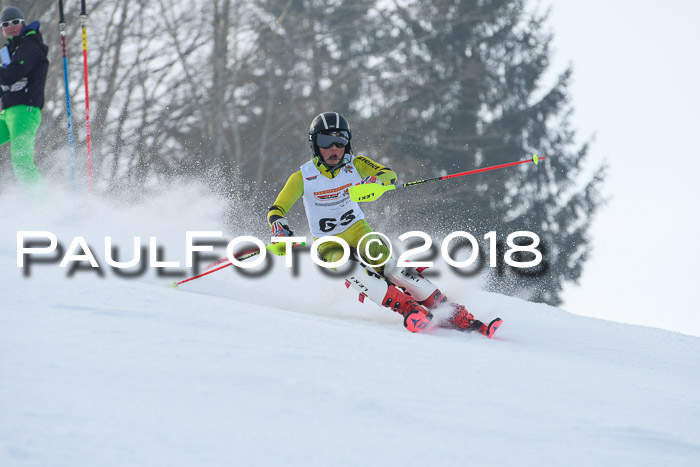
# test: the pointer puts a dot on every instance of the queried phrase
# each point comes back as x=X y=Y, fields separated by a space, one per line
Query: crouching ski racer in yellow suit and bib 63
x=323 y=184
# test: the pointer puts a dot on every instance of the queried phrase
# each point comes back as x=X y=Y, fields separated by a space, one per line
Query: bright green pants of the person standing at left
x=19 y=125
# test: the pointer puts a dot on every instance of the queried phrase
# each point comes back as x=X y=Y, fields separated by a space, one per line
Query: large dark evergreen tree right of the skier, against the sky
x=468 y=93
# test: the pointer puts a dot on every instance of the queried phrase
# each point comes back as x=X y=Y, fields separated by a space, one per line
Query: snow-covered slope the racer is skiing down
x=292 y=370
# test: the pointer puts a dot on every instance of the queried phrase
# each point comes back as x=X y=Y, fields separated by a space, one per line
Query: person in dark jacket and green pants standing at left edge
x=22 y=80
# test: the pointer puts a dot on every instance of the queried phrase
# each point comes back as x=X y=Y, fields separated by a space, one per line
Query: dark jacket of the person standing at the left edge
x=22 y=81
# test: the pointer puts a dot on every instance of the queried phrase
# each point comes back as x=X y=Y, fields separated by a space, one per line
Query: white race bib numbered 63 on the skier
x=327 y=202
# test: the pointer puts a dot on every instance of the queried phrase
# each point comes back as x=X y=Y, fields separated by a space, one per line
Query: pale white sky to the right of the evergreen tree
x=636 y=87
